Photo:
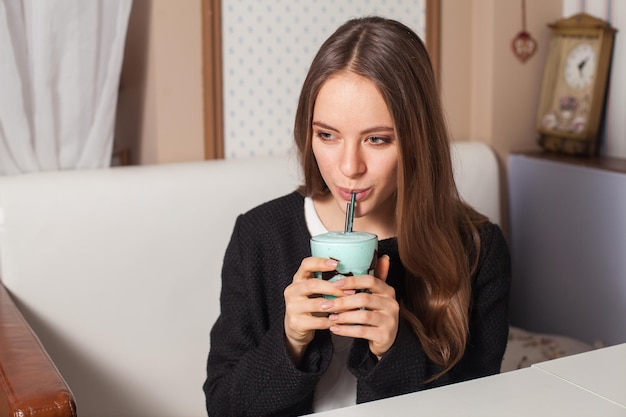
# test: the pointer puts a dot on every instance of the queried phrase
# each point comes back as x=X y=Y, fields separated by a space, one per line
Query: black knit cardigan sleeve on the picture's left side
x=249 y=371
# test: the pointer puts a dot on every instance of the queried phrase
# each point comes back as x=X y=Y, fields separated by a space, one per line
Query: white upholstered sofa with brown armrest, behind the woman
x=117 y=272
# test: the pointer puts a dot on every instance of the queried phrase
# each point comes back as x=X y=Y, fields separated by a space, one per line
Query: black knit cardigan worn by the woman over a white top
x=249 y=371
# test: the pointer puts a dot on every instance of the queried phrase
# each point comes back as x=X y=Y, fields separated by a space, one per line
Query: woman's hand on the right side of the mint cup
x=375 y=312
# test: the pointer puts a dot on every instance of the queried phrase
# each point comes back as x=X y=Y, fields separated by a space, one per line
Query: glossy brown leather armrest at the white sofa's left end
x=30 y=384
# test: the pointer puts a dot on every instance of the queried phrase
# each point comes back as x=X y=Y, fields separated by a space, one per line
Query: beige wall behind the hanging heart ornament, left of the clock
x=489 y=95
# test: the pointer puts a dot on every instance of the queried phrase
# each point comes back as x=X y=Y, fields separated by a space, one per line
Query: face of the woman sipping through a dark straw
x=355 y=145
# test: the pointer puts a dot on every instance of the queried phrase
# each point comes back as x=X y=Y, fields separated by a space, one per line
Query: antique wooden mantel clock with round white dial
x=575 y=78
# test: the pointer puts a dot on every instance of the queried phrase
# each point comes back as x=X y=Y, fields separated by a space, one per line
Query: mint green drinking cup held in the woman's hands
x=357 y=253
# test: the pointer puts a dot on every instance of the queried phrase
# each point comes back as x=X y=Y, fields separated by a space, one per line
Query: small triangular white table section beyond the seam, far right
x=601 y=371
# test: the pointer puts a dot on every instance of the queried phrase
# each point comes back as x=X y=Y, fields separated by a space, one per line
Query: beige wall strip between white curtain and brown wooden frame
x=160 y=115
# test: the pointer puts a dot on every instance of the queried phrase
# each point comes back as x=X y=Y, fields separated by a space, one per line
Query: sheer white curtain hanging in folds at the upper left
x=60 y=64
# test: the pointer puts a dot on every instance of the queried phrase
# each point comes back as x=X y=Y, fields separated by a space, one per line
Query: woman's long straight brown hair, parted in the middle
x=437 y=238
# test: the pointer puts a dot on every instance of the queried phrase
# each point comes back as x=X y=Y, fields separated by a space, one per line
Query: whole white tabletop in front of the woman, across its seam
x=535 y=391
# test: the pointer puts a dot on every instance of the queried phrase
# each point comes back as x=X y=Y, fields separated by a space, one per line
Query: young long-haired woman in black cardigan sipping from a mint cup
x=369 y=121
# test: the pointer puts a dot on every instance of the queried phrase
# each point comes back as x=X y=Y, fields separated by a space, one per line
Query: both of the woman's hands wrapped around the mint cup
x=376 y=310
